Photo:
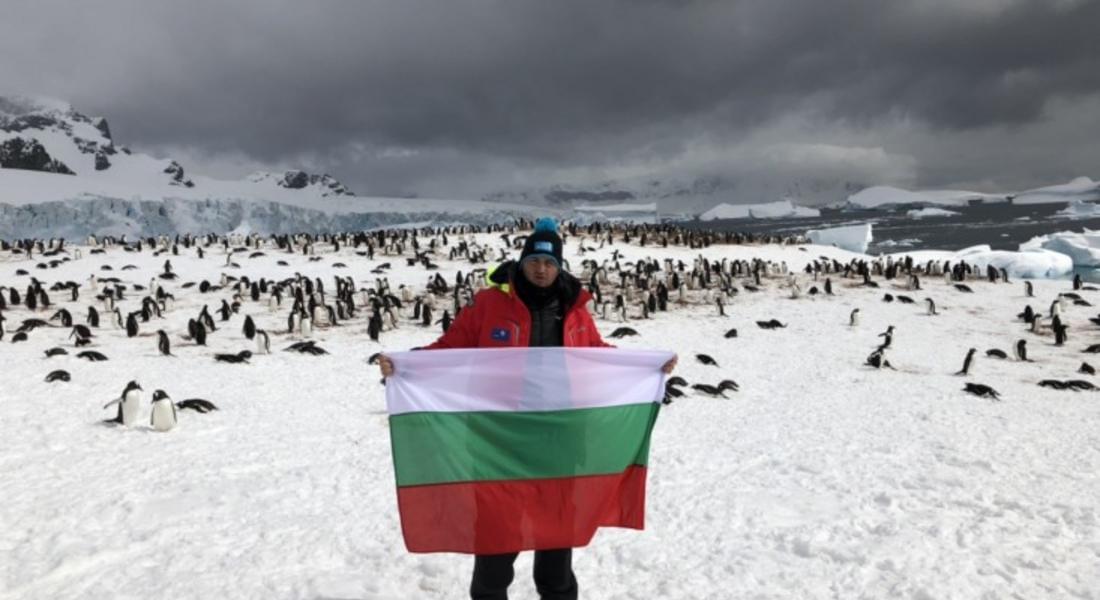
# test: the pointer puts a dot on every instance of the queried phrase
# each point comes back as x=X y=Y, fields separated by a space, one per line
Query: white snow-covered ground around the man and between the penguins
x=822 y=478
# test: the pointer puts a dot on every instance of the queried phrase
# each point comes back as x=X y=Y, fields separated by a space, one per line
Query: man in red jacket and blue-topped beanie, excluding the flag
x=530 y=304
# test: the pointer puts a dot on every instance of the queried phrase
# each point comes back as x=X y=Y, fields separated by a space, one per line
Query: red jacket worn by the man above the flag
x=499 y=319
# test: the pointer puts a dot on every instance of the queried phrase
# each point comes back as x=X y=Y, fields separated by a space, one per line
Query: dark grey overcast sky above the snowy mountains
x=455 y=99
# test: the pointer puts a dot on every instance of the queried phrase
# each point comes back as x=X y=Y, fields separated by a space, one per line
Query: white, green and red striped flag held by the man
x=510 y=450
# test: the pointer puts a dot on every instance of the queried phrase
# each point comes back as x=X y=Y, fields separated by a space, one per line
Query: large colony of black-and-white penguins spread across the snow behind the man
x=85 y=319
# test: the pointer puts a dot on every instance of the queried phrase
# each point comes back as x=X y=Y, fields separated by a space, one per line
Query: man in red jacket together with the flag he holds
x=540 y=463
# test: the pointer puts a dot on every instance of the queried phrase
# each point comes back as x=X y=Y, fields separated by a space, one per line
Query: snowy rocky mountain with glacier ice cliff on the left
x=62 y=174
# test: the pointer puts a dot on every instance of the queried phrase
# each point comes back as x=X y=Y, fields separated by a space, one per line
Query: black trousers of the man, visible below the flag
x=554 y=575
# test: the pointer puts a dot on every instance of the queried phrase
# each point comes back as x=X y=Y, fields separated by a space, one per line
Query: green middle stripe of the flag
x=494 y=446
